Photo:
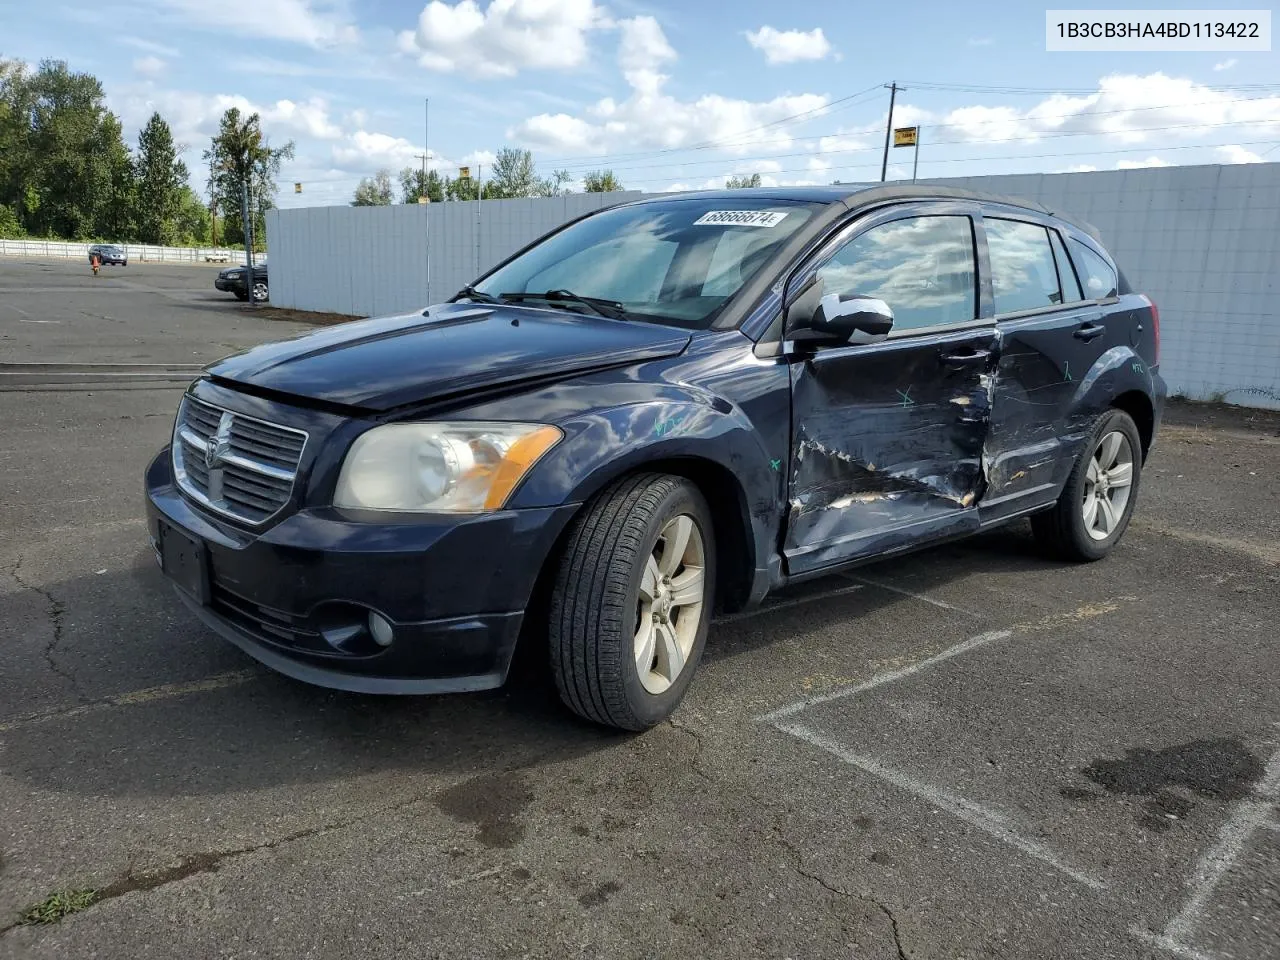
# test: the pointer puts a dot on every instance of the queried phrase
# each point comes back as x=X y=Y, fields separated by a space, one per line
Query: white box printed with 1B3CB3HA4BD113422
x=1168 y=31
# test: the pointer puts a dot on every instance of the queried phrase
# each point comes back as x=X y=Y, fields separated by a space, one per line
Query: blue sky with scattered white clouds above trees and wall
x=669 y=95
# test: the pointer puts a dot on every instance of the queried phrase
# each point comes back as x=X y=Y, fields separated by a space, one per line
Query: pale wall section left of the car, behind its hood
x=372 y=260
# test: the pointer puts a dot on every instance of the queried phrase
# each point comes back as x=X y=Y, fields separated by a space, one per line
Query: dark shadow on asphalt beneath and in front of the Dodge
x=172 y=733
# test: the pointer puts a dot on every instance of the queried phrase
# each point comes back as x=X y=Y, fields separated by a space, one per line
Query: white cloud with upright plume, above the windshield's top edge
x=651 y=118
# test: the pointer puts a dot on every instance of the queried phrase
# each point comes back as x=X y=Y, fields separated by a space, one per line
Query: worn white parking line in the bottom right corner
x=1249 y=816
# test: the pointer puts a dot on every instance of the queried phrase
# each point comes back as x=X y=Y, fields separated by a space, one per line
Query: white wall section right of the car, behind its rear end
x=1205 y=244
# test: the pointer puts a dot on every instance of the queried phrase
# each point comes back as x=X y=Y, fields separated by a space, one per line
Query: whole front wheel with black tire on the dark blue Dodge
x=625 y=596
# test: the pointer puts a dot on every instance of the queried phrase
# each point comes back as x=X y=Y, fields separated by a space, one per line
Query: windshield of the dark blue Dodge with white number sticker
x=674 y=262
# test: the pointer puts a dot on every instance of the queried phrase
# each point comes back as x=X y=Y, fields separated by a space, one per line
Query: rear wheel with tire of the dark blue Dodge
x=1087 y=522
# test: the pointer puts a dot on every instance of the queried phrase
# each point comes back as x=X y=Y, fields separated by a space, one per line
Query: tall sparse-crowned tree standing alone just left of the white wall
x=241 y=156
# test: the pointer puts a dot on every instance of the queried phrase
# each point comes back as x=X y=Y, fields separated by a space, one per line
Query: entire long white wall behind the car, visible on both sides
x=1203 y=241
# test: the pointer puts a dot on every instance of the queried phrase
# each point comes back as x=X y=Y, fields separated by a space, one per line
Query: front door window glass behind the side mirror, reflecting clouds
x=922 y=267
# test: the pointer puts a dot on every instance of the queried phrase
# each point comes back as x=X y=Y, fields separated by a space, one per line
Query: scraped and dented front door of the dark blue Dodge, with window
x=888 y=436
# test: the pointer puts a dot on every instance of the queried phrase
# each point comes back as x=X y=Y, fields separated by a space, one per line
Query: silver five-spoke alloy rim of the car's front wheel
x=670 y=611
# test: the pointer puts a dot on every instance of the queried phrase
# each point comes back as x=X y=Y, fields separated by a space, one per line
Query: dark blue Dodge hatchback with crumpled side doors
x=660 y=412
